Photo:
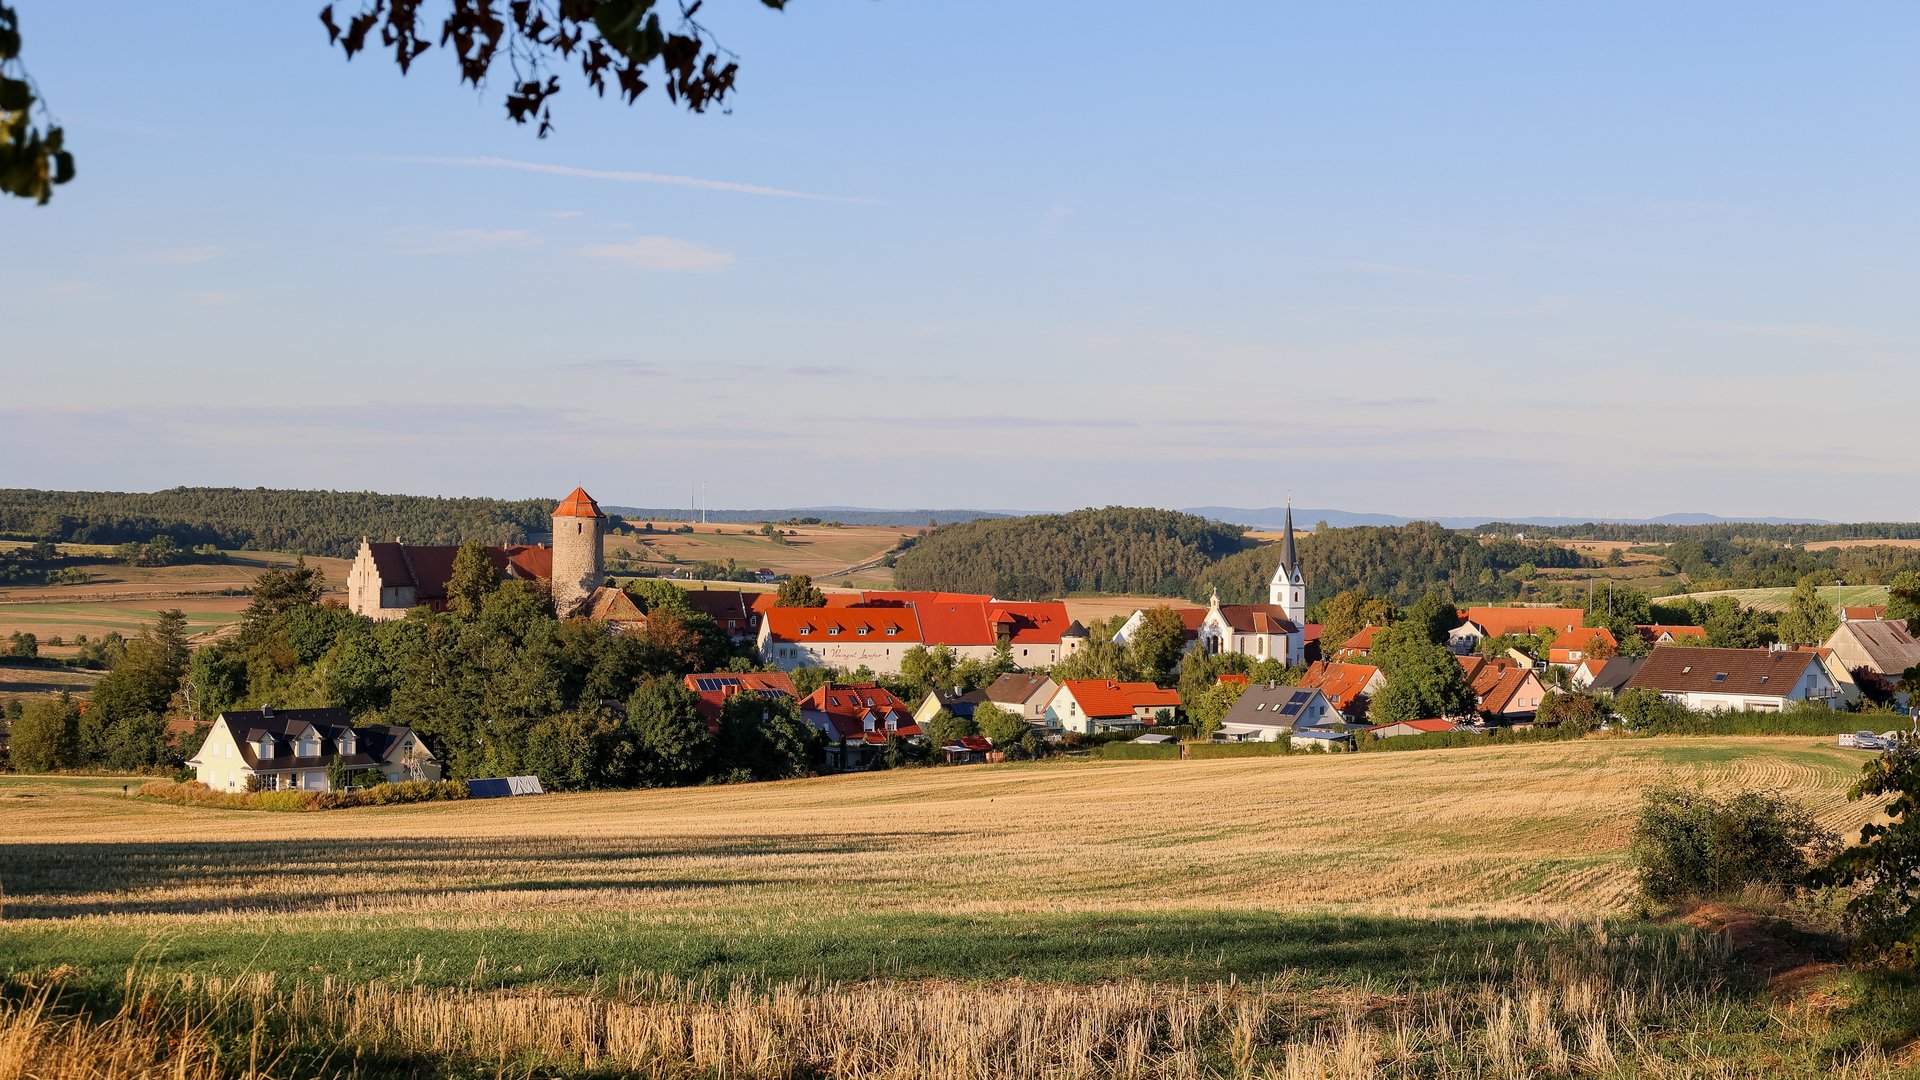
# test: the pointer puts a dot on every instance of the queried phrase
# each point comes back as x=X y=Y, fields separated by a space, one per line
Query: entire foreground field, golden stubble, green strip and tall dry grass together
x=1241 y=918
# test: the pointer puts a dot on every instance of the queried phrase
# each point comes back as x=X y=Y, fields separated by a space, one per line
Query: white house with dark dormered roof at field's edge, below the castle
x=293 y=749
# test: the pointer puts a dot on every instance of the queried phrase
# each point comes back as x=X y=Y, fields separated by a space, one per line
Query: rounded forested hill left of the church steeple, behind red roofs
x=1053 y=554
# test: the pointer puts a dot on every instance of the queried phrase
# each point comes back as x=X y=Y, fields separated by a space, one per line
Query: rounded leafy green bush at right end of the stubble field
x=1694 y=847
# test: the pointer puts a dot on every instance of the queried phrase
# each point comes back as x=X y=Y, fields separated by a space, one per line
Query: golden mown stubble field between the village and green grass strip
x=1533 y=831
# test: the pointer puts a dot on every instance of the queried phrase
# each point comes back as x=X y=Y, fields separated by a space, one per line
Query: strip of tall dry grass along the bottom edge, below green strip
x=1596 y=1008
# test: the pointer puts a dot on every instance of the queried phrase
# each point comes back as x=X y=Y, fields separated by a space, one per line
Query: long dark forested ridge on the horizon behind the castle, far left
x=316 y=524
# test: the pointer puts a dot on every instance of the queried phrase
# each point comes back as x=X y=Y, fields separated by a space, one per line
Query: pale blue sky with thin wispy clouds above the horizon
x=1408 y=258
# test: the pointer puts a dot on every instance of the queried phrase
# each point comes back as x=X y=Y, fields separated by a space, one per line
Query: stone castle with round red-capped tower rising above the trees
x=391 y=579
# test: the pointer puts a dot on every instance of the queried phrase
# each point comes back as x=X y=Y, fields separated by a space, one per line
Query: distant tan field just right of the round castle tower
x=815 y=551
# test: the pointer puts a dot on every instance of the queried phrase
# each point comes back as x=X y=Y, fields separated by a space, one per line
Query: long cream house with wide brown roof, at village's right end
x=1764 y=681
